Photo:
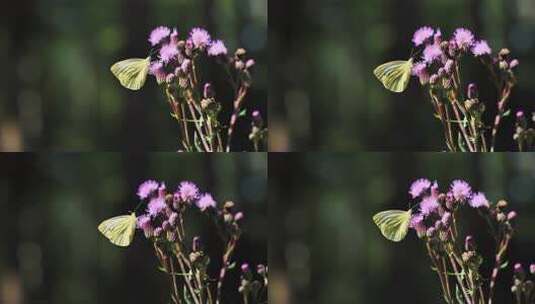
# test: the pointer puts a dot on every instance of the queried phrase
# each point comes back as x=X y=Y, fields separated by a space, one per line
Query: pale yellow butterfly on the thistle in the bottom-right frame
x=394 y=224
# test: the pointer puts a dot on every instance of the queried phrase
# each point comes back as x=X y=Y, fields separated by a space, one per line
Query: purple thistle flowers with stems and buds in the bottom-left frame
x=182 y=257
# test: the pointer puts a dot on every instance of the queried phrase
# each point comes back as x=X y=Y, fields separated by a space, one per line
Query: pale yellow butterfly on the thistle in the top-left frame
x=132 y=73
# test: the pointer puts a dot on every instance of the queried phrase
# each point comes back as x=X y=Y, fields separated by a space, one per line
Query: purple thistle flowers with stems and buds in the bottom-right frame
x=455 y=257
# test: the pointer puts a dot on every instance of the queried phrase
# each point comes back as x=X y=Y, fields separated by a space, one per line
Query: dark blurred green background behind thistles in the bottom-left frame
x=51 y=204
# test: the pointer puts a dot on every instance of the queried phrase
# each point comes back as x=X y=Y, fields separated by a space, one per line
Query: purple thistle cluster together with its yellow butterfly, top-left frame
x=176 y=63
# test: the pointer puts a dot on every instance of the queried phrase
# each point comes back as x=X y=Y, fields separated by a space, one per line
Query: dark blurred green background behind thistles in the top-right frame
x=323 y=95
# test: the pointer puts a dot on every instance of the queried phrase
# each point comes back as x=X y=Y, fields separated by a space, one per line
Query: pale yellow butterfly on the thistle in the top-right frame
x=395 y=75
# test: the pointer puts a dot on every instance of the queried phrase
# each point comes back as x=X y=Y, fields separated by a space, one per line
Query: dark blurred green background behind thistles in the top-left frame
x=56 y=90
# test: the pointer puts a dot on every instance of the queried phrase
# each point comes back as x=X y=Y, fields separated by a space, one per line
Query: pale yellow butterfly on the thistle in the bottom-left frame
x=120 y=229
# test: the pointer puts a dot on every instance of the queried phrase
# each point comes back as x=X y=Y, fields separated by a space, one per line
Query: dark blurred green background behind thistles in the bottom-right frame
x=324 y=247
